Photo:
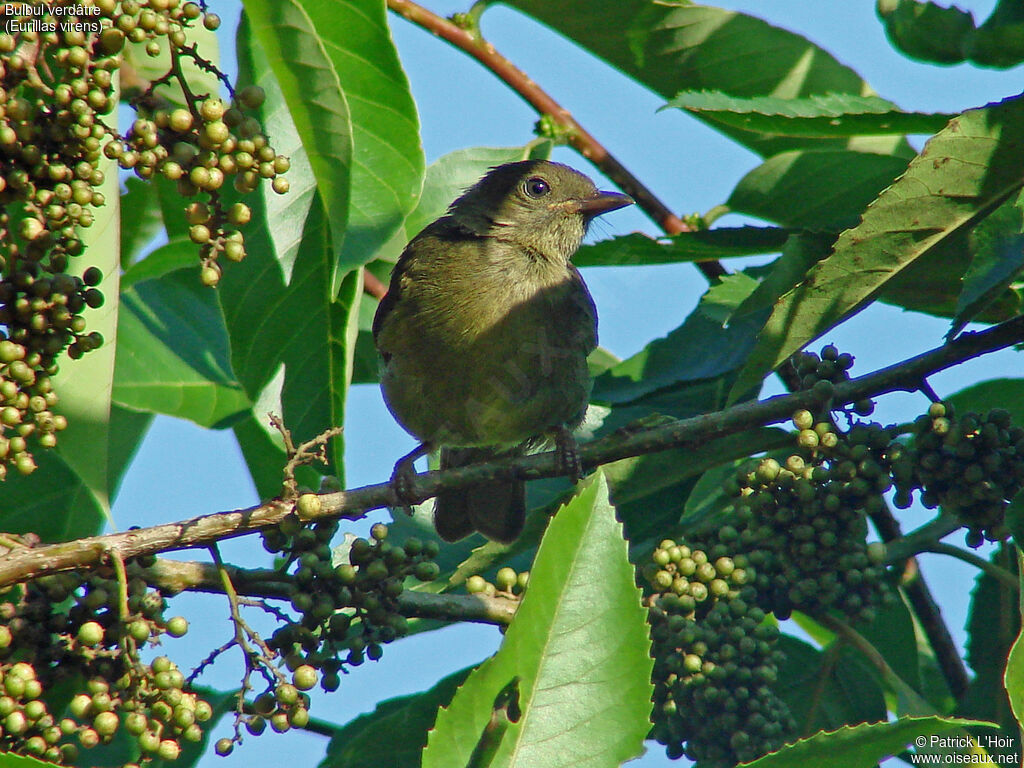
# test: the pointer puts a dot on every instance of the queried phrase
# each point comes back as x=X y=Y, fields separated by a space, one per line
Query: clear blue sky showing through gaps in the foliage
x=183 y=471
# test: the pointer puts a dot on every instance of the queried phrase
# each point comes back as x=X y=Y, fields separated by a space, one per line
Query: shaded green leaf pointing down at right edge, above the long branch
x=998 y=248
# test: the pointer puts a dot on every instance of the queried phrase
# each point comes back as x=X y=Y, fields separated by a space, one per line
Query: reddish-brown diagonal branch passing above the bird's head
x=541 y=101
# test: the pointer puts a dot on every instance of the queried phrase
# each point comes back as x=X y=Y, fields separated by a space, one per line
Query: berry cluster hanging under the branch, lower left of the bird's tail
x=348 y=610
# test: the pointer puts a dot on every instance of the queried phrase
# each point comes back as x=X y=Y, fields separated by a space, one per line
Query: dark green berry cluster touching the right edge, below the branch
x=972 y=465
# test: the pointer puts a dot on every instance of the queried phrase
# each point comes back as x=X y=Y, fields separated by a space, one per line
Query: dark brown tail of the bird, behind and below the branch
x=496 y=509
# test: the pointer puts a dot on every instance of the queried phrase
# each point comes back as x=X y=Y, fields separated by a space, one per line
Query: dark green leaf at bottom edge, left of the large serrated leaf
x=396 y=733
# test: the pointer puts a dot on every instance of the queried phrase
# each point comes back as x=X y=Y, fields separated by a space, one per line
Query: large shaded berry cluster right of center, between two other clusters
x=803 y=522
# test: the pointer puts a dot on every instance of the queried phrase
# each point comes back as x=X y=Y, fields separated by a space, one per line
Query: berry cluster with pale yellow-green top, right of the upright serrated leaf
x=715 y=659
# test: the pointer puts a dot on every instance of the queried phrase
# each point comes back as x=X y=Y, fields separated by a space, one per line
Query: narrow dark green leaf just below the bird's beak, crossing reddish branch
x=722 y=243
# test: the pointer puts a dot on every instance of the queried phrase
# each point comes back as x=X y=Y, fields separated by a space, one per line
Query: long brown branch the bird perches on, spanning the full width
x=22 y=564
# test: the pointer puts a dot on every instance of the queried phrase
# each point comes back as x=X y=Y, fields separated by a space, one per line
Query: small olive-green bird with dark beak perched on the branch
x=485 y=334
